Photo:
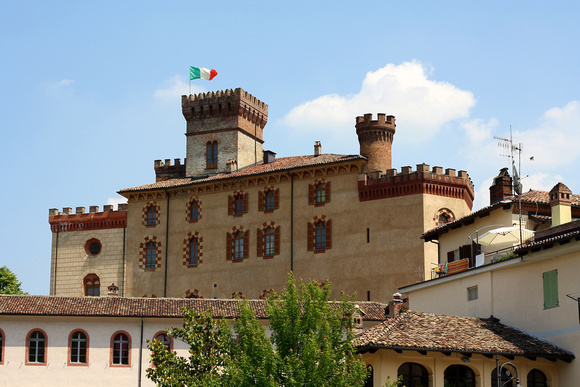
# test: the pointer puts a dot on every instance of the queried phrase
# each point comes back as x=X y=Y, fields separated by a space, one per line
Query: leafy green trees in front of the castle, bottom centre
x=310 y=345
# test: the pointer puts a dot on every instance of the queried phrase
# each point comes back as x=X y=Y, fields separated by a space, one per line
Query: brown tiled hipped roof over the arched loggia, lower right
x=469 y=335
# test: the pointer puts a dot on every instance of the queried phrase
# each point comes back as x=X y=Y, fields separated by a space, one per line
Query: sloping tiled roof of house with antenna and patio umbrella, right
x=531 y=196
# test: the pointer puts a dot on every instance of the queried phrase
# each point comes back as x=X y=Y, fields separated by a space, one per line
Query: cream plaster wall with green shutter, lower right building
x=513 y=292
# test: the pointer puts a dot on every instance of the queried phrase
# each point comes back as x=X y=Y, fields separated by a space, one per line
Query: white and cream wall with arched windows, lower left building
x=56 y=372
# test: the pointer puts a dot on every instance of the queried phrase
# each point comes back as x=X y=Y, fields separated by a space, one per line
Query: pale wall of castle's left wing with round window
x=70 y=263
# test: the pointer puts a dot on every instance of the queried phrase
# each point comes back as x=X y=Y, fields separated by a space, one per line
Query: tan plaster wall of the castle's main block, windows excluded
x=392 y=256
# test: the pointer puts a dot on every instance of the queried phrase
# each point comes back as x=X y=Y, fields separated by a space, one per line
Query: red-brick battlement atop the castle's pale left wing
x=66 y=221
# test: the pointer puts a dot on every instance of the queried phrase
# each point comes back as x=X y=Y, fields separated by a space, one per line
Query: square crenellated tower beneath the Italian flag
x=223 y=126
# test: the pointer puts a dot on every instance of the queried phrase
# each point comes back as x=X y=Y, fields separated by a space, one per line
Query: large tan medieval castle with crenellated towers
x=233 y=219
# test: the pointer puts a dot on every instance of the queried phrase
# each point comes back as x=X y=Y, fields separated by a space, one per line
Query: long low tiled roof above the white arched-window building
x=25 y=305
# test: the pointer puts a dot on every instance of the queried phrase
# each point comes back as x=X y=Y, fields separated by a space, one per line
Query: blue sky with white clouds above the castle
x=90 y=92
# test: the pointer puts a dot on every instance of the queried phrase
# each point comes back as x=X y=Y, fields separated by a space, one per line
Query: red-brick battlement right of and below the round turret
x=376 y=185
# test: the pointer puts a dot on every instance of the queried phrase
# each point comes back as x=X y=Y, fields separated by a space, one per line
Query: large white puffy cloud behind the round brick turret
x=420 y=103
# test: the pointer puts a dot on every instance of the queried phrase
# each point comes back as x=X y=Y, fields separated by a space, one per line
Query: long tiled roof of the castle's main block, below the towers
x=280 y=164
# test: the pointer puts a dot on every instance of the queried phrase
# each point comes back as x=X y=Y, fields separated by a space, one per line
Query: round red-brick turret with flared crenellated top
x=375 y=138
